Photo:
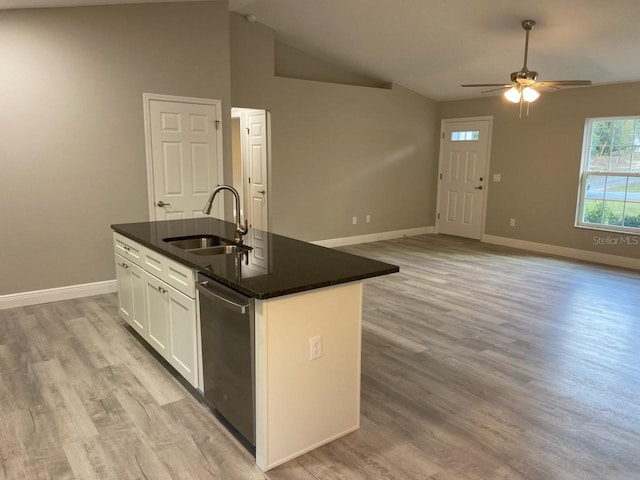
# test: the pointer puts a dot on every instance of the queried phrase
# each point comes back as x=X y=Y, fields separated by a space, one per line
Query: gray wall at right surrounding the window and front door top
x=539 y=159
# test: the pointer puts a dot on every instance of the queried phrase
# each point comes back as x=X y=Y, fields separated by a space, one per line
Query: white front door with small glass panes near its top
x=464 y=156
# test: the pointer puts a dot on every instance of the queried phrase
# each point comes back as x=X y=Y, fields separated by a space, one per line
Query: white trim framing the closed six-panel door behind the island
x=146 y=100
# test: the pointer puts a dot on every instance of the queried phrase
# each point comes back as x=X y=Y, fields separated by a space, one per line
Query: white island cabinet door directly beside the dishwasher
x=183 y=348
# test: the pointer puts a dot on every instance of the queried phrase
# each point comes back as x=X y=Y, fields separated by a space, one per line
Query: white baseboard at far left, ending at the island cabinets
x=22 y=299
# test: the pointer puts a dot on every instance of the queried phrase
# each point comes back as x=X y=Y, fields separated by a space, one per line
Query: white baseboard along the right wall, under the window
x=585 y=255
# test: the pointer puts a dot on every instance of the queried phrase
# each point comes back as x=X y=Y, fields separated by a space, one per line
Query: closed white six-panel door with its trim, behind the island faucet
x=184 y=155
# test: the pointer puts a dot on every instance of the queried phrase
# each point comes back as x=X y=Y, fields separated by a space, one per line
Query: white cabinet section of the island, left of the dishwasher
x=156 y=296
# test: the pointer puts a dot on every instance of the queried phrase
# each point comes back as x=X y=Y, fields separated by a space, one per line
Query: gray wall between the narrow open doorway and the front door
x=338 y=150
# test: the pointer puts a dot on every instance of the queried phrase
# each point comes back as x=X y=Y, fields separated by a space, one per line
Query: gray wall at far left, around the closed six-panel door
x=72 y=151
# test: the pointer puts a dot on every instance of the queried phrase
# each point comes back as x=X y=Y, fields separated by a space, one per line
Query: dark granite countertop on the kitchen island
x=284 y=266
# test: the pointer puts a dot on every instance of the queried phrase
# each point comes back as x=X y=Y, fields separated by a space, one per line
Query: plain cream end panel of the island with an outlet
x=302 y=403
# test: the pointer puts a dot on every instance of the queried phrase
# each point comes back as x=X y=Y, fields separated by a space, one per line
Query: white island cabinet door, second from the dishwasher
x=157 y=314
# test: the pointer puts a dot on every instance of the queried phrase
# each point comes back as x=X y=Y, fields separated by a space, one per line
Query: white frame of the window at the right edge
x=585 y=173
